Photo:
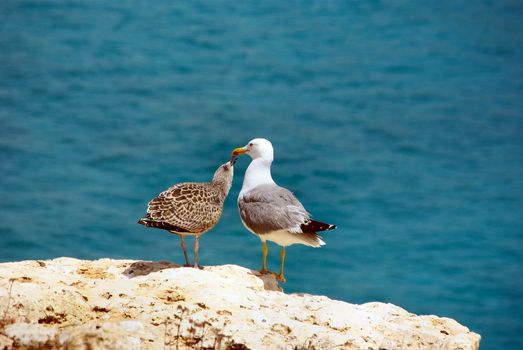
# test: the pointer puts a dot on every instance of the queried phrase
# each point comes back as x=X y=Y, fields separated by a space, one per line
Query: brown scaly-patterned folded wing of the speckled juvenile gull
x=192 y=206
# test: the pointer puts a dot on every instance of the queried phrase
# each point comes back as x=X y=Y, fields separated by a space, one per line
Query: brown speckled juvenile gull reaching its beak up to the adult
x=190 y=208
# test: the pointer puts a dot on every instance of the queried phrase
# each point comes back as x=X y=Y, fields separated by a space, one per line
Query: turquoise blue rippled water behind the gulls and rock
x=398 y=121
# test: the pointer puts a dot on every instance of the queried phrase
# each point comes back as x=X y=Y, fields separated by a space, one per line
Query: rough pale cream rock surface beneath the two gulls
x=122 y=304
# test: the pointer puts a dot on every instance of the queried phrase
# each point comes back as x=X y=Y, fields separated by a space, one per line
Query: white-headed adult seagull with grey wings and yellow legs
x=270 y=211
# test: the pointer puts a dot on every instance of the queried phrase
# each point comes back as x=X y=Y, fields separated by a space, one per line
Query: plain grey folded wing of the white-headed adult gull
x=271 y=208
